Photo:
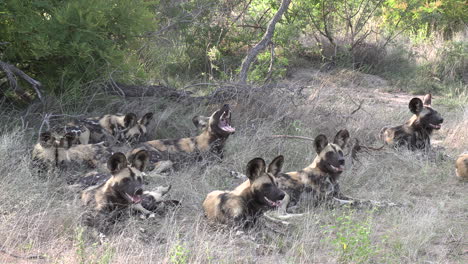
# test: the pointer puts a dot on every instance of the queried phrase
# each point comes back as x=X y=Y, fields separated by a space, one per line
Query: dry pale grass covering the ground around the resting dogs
x=40 y=216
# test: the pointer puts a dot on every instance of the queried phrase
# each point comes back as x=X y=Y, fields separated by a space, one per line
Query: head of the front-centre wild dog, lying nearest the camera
x=263 y=182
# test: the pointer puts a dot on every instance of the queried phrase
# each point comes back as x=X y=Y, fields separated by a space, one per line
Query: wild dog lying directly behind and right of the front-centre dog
x=320 y=177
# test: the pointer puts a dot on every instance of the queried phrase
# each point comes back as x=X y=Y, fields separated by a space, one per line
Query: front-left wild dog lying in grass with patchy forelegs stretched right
x=122 y=190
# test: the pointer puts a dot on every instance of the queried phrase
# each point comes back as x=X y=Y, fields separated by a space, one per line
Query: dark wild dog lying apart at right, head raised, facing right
x=415 y=133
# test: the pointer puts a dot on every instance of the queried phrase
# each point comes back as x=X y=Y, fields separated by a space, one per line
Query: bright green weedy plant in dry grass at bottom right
x=352 y=239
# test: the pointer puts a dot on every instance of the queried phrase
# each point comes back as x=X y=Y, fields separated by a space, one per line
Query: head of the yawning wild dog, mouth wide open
x=219 y=123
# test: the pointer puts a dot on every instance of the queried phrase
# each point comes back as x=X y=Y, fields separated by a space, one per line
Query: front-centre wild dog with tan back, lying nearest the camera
x=245 y=203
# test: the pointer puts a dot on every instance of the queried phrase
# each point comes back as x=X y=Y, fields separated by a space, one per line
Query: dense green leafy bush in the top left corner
x=70 y=43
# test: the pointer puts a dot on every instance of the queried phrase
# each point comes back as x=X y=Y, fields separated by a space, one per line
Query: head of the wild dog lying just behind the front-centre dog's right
x=330 y=155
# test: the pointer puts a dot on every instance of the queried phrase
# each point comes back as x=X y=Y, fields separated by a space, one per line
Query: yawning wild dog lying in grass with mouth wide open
x=215 y=131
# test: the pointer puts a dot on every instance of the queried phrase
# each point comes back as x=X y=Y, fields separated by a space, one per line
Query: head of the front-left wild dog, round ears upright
x=127 y=175
